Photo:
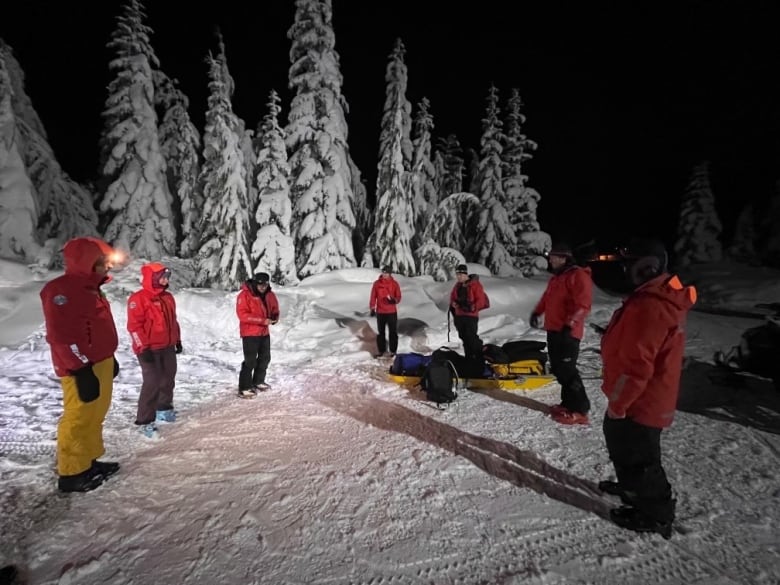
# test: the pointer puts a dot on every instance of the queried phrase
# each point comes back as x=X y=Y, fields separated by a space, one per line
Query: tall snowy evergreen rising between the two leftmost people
x=136 y=206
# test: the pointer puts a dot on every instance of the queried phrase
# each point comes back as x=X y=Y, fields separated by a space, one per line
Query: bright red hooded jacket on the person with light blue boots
x=151 y=314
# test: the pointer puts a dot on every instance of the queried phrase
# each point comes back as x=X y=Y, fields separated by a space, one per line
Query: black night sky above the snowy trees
x=622 y=99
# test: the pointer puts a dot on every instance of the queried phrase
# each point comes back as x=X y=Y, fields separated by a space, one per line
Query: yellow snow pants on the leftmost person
x=80 y=430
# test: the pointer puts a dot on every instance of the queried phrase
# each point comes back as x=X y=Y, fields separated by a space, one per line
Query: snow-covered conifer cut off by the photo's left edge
x=18 y=211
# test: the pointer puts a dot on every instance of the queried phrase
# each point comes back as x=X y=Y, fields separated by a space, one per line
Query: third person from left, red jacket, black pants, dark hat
x=257 y=307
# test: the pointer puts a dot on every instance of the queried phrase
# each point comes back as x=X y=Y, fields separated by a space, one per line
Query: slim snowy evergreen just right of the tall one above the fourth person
x=422 y=188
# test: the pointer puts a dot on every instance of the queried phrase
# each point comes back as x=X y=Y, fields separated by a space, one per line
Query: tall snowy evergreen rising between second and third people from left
x=223 y=256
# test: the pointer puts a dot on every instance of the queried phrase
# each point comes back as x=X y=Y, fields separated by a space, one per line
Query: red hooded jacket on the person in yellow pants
x=79 y=325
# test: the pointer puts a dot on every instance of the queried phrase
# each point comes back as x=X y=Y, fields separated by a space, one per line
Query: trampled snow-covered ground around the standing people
x=337 y=475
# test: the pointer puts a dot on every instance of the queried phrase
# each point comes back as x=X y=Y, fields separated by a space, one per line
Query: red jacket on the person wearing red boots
x=567 y=300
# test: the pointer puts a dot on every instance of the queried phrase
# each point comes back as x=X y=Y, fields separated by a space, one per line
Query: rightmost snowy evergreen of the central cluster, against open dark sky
x=531 y=243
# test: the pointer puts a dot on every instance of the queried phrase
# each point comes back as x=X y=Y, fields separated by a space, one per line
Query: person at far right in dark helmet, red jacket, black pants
x=642 y=353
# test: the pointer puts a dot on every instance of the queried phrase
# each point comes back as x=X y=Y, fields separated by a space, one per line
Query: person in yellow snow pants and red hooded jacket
x=82 y=337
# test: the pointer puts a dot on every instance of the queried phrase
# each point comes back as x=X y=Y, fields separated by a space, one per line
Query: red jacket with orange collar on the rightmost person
x=642 y=351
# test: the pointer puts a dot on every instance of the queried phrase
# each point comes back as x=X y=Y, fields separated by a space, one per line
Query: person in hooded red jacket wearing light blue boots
x=156 y=339
